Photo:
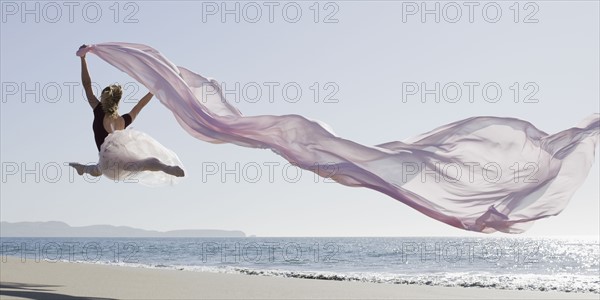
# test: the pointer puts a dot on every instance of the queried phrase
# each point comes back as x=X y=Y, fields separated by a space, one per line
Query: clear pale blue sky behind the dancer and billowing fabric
x=345 y=63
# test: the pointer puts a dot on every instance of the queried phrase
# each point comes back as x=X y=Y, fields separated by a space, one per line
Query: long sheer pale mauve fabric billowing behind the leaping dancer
x=482 y=174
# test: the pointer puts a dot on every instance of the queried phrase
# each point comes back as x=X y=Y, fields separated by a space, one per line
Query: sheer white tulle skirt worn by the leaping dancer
x=123 y=155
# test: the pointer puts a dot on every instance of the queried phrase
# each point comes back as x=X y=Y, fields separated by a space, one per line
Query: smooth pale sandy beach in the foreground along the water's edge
x=62 y=280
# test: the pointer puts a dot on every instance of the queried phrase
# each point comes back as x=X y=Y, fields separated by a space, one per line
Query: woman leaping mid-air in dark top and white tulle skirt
x=124 y=154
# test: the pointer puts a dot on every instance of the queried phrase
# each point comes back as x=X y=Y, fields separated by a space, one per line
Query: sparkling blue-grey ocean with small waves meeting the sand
x=537 y=264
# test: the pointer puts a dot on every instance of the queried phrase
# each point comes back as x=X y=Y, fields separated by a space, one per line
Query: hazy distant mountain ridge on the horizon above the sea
x=60 y=229
